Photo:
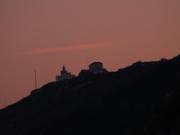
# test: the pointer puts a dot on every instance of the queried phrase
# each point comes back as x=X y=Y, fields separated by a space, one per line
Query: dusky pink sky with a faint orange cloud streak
x=44 y=35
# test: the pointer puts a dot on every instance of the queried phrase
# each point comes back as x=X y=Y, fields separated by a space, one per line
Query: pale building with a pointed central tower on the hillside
x=64 y=75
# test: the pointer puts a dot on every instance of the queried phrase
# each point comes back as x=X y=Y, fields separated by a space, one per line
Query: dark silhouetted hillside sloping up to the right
x=142 y=99
